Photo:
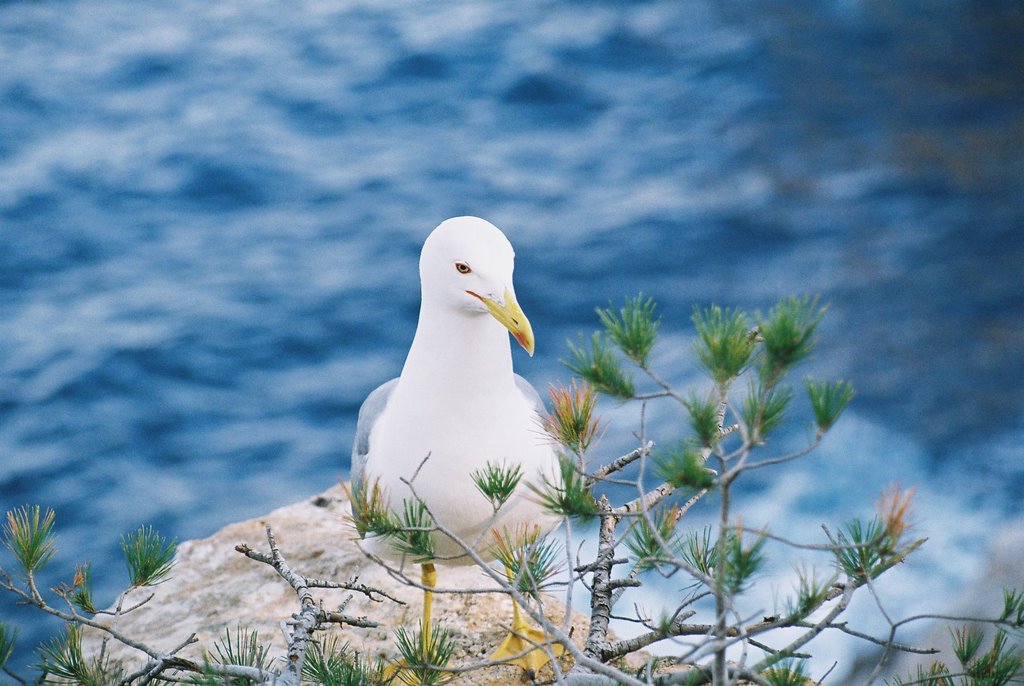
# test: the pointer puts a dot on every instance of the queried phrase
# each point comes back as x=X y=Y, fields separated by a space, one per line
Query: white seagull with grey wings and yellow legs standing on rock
x=457 y=408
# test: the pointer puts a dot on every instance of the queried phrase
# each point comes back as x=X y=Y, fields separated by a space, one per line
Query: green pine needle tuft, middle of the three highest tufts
x=726 y=342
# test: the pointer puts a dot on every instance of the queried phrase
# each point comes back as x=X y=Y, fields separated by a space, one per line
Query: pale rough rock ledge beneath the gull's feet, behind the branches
x=215 y=589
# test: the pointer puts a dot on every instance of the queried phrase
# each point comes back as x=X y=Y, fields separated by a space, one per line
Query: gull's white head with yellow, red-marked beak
x=466 y=266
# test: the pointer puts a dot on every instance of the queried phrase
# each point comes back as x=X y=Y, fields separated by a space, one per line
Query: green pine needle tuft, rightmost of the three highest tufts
x=788 y=335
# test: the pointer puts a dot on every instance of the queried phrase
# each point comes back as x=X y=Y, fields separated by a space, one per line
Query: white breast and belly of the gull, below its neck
x=459 y=436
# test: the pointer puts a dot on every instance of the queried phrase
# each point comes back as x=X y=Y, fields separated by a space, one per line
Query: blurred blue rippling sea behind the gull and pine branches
x=211 y=215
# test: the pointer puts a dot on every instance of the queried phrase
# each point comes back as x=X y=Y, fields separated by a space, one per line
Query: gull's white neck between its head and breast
x=466 y=353
